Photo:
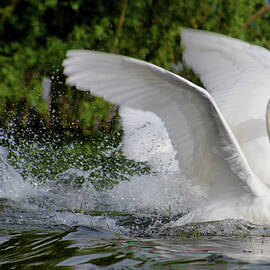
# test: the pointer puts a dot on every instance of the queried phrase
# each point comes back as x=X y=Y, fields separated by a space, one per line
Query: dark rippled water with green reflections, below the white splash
x=88 y=248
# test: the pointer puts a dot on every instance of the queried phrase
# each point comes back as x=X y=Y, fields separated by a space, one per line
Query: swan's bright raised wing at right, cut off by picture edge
x=237 y=75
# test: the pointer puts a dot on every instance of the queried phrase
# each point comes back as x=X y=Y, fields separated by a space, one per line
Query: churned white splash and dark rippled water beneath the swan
x=146 y=222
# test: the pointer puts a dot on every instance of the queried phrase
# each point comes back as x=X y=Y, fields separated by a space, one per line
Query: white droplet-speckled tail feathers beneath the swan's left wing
x=146 y=139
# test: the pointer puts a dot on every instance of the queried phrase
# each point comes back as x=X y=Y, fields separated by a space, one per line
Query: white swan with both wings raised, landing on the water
x=220 y=135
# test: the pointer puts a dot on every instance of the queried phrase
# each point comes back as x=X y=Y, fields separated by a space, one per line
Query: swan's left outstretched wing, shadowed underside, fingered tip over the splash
x=207 y=150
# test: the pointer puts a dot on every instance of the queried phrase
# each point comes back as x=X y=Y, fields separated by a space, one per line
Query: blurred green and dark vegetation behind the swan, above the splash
x=35 y=35
